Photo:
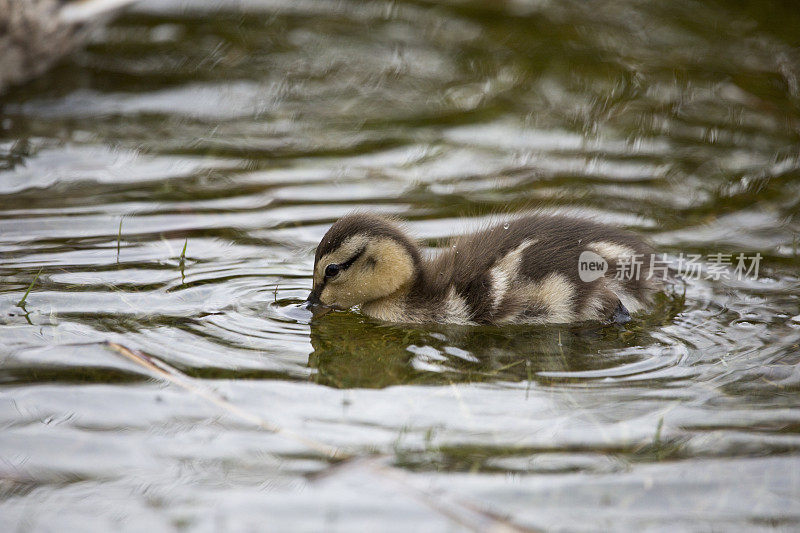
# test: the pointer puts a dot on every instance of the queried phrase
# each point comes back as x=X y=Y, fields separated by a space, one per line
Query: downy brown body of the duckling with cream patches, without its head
x=528 y=271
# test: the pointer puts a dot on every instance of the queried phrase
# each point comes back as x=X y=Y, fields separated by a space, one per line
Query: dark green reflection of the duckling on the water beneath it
x=351 y=351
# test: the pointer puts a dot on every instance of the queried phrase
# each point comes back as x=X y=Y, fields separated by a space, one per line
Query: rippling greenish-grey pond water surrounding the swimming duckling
x=170 y=181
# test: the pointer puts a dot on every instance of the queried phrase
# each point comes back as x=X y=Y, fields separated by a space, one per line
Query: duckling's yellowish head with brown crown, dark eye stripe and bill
x=362 y=258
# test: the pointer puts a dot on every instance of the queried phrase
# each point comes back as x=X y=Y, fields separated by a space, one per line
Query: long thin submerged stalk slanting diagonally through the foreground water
x=464 y=513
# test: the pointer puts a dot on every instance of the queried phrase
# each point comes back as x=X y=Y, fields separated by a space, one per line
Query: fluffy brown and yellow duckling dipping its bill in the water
x=524 y=271
